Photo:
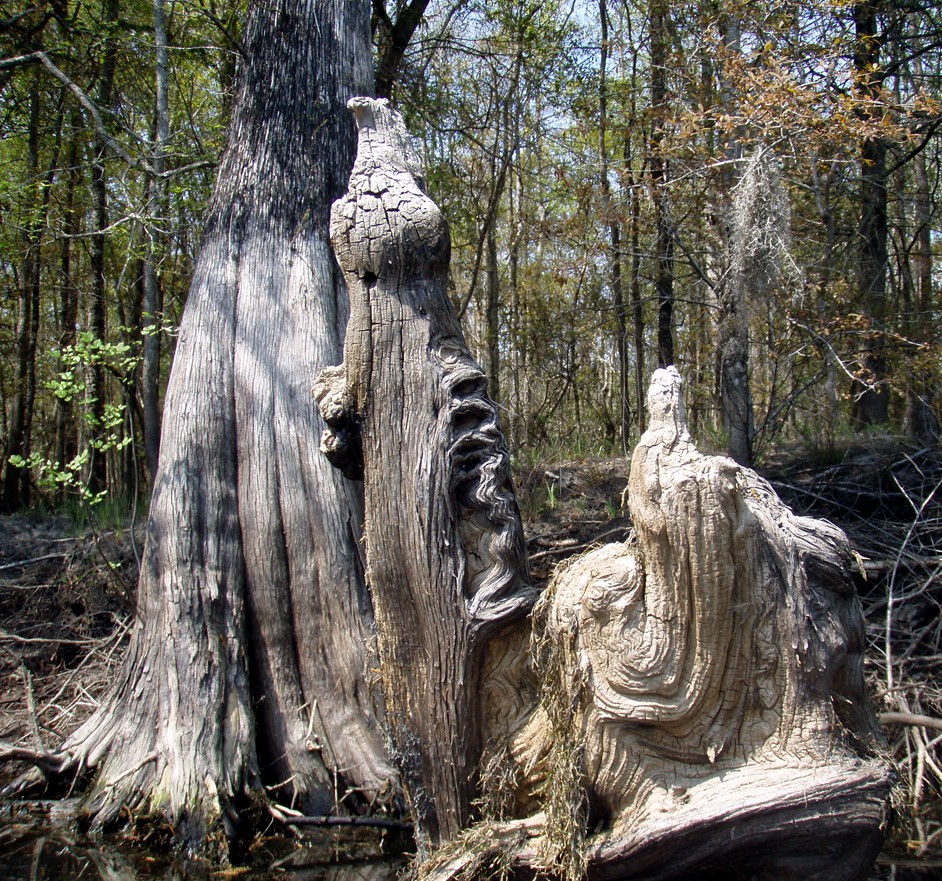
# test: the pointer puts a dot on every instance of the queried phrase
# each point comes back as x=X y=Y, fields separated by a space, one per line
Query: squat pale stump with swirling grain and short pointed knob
x=711 y=675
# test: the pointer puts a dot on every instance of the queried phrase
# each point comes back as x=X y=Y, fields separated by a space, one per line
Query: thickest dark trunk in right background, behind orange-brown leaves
x=872 y=396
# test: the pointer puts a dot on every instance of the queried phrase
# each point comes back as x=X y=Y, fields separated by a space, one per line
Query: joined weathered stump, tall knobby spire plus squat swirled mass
x=701 y=711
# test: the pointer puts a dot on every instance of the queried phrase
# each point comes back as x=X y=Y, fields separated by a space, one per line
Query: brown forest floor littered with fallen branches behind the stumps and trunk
x=66 y=599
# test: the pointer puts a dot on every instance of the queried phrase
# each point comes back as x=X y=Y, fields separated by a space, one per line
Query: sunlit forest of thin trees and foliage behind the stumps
x=747 y=190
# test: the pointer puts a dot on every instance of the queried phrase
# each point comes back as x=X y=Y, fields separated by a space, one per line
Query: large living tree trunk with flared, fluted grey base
x=248 y=662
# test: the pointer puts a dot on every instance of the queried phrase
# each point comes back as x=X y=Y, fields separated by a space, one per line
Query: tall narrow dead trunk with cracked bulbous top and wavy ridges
x=444 y=543
